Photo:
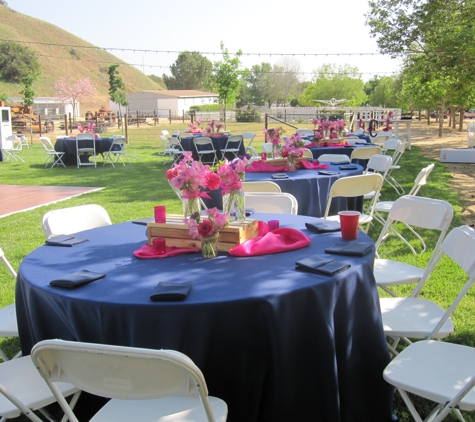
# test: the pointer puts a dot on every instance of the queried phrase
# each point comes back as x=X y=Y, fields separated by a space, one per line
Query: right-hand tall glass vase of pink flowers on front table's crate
x=231 y=176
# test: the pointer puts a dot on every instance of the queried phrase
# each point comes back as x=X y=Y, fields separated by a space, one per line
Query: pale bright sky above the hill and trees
x=308 y=32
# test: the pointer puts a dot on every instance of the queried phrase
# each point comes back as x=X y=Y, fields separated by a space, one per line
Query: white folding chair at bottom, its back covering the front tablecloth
x=144 y=384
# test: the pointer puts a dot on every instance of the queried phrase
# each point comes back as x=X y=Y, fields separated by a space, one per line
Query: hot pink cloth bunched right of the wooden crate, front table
x=279 y=240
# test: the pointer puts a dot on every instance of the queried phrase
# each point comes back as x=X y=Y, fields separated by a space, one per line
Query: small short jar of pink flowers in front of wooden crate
x=208 y=231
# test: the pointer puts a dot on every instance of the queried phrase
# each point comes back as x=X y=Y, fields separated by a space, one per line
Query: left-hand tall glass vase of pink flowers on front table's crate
x=191 y=177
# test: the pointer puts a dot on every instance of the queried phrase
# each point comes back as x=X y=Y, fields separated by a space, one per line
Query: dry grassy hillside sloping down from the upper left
x=57 y=61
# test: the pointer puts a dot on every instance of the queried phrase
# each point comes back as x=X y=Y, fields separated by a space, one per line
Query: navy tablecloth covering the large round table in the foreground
x=275 y=343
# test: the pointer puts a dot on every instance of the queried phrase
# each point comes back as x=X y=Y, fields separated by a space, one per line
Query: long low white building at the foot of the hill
x=165 y=101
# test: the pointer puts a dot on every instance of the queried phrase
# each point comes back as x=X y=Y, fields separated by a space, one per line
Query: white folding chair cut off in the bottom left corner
x=23 y=391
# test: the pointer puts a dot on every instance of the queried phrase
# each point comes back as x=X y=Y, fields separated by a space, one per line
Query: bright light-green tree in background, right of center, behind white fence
x=331 y=81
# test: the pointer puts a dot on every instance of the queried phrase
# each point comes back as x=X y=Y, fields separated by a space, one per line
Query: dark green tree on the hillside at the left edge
x=17 y=62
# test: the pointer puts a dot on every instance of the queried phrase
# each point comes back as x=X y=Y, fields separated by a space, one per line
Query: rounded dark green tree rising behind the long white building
x=190 y=71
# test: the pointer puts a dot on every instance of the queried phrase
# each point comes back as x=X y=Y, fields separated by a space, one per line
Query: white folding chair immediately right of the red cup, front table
x=413 y=211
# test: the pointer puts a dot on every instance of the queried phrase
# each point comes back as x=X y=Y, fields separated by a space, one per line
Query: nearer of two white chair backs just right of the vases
x=271 y=202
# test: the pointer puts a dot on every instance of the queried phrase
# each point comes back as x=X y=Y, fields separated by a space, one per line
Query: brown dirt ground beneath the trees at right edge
x=426 y=137
